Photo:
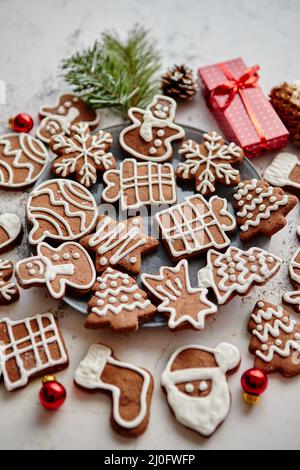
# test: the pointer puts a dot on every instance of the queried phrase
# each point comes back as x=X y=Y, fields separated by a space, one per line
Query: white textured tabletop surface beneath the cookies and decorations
x=34 y=37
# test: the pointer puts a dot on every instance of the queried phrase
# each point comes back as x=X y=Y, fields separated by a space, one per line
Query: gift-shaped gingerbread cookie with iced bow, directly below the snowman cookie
x=137 y=184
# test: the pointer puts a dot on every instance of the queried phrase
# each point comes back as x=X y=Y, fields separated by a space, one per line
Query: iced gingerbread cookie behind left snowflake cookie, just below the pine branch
x=57 y=120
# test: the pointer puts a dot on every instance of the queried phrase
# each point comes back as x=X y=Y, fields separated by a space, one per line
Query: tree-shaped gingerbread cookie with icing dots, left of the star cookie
x=118 y=302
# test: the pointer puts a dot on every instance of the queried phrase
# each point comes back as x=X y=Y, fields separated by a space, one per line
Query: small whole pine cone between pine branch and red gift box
x=179 y=83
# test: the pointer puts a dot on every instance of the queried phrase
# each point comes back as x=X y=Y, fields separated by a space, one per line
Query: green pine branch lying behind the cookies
x=115 y=74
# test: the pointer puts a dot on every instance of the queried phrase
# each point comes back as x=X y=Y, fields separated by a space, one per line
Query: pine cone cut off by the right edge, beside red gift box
x=286 y=101
